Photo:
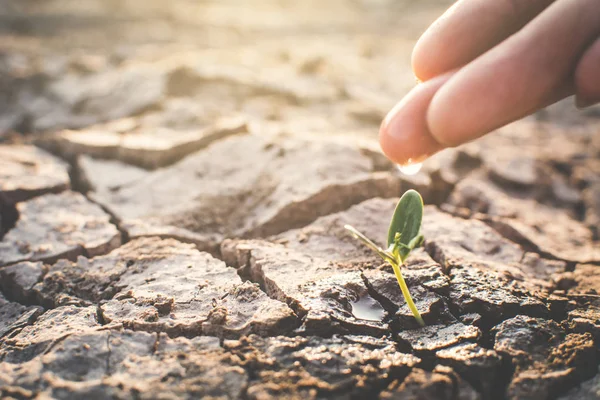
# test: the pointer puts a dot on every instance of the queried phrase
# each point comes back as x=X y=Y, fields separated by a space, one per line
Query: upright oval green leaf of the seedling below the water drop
x=406 y=222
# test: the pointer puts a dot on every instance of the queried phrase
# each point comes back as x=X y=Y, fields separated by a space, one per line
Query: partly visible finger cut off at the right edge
x=587 y=76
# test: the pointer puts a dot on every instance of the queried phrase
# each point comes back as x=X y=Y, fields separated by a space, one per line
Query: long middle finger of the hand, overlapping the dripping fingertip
x=516 y=77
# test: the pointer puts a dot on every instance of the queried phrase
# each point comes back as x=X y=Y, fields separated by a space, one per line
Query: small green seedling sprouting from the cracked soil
x=403 y=236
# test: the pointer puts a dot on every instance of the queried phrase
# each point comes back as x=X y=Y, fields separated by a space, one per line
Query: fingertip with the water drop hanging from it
x=404 y=136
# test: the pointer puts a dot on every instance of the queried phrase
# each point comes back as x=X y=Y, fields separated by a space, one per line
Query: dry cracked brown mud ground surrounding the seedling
x=174 y=182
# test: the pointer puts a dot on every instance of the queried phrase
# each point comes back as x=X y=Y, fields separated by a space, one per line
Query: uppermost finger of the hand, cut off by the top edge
x=467 y=30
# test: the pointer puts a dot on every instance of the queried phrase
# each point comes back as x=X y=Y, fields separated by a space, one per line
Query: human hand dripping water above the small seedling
x=486 y=63
